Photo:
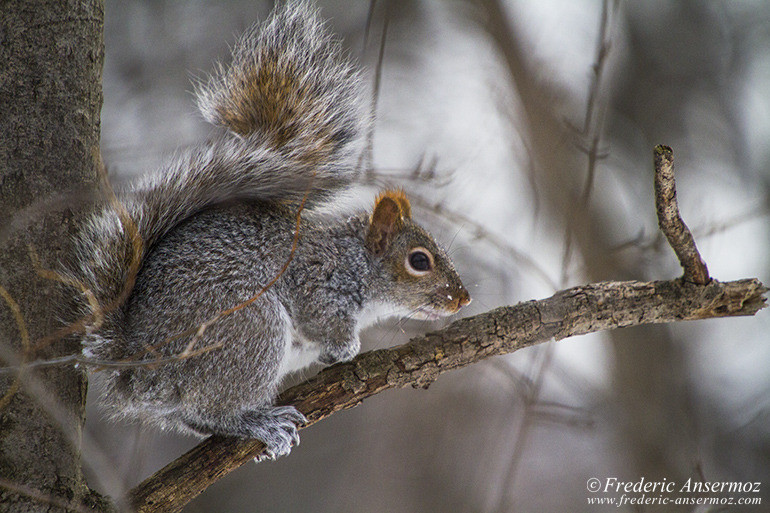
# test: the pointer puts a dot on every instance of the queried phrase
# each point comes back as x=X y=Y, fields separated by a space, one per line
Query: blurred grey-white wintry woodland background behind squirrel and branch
x=523 y=130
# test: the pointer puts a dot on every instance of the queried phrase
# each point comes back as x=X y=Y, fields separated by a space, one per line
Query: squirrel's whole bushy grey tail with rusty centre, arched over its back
x=294 y=115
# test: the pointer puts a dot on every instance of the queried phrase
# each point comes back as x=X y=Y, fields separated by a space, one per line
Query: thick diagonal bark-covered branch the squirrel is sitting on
x=575 y=311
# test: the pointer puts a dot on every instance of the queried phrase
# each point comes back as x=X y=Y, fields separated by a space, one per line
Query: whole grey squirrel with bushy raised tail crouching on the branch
x=238 y=221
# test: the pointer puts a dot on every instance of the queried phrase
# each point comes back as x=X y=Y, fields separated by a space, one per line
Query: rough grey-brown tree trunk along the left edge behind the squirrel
x=50 y=102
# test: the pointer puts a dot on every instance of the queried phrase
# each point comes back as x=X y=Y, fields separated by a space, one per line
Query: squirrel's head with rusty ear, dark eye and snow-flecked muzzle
x=423 y=278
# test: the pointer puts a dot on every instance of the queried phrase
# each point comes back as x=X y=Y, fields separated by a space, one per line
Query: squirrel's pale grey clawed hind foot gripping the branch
x=276 y=427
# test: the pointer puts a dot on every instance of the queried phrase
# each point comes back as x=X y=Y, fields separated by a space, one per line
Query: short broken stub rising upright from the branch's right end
x=670 y=221
